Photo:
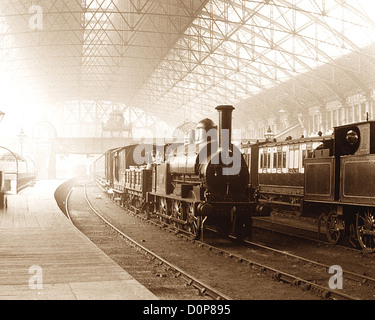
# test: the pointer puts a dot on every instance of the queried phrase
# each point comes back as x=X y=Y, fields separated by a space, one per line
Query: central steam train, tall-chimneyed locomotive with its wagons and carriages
x=203 y=181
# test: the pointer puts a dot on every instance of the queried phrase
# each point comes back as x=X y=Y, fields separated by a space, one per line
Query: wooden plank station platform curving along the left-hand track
x=44 y=257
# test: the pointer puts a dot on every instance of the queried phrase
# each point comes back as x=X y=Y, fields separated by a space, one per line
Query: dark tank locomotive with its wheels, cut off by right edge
x=345 y=183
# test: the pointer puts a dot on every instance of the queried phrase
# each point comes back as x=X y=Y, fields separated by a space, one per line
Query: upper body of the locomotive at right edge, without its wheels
x=341 y=164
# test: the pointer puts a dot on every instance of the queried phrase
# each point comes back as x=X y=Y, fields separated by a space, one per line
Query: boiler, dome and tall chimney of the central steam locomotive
x=213 y=169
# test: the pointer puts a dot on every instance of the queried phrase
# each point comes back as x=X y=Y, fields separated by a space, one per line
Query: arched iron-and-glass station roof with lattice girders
x=179 y=59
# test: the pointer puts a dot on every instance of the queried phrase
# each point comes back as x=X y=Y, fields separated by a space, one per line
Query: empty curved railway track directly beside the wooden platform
x=163 y=278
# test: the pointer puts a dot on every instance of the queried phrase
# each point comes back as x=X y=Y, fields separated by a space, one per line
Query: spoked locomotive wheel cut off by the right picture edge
x=365 y=227
